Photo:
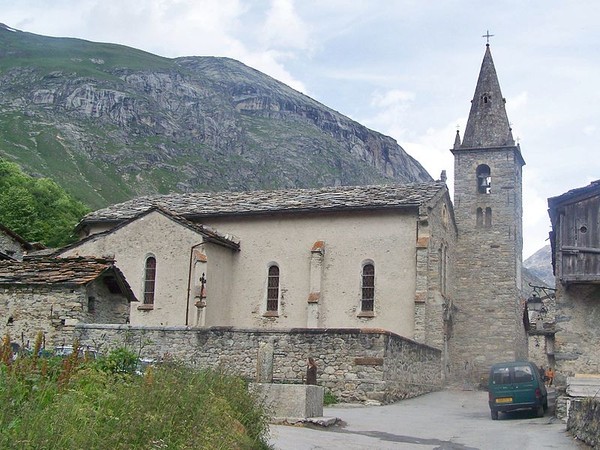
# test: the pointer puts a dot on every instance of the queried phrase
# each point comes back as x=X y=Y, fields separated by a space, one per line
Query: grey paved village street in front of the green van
x=448 y=420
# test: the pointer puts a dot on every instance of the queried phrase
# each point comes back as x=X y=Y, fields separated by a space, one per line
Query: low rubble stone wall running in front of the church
x=356 y=365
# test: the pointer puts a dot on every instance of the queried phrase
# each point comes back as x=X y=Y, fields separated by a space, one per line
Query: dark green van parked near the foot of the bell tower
x=514 y=386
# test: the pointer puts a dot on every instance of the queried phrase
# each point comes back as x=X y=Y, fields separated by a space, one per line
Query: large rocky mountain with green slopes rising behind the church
x=109 y=123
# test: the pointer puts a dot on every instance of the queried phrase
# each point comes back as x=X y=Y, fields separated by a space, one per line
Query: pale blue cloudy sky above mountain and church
x=404 y=68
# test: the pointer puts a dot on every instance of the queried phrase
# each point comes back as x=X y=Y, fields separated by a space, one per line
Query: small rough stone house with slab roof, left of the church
x=52 y=296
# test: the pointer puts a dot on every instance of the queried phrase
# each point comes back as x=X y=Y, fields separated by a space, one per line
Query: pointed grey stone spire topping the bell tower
x=488 y=124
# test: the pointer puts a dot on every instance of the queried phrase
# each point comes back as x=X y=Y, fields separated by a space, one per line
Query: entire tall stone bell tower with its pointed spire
x=487 y=324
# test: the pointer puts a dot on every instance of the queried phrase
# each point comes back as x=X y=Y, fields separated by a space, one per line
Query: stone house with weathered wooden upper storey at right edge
x=575 y=240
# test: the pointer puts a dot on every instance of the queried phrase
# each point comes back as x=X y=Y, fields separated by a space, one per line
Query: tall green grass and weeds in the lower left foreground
x=73 y=404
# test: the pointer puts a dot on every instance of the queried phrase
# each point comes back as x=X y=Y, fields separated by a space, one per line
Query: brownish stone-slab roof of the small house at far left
x=60 y=271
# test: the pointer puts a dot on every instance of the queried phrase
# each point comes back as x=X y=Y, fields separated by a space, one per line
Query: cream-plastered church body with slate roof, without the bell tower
x=344 y=257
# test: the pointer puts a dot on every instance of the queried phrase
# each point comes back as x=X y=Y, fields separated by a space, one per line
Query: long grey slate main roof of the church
x=204 y=204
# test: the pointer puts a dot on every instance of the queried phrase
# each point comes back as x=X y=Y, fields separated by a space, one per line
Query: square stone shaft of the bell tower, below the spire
x=487 y=324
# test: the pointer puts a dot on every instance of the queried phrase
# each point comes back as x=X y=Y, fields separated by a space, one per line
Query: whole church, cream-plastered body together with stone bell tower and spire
x=399 y=259
